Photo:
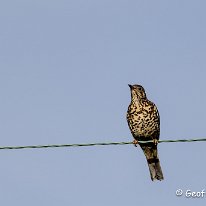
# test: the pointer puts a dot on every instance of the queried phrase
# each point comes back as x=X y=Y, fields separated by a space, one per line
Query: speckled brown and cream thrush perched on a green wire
x=144 y=123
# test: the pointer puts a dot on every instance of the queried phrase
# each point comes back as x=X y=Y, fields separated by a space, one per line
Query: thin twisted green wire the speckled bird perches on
x=95 y=144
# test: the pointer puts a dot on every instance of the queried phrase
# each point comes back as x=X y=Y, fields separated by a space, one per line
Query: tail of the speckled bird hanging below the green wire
x=151 y=154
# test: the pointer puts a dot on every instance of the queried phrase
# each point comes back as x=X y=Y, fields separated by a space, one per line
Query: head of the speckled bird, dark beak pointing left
x=137 y=92
